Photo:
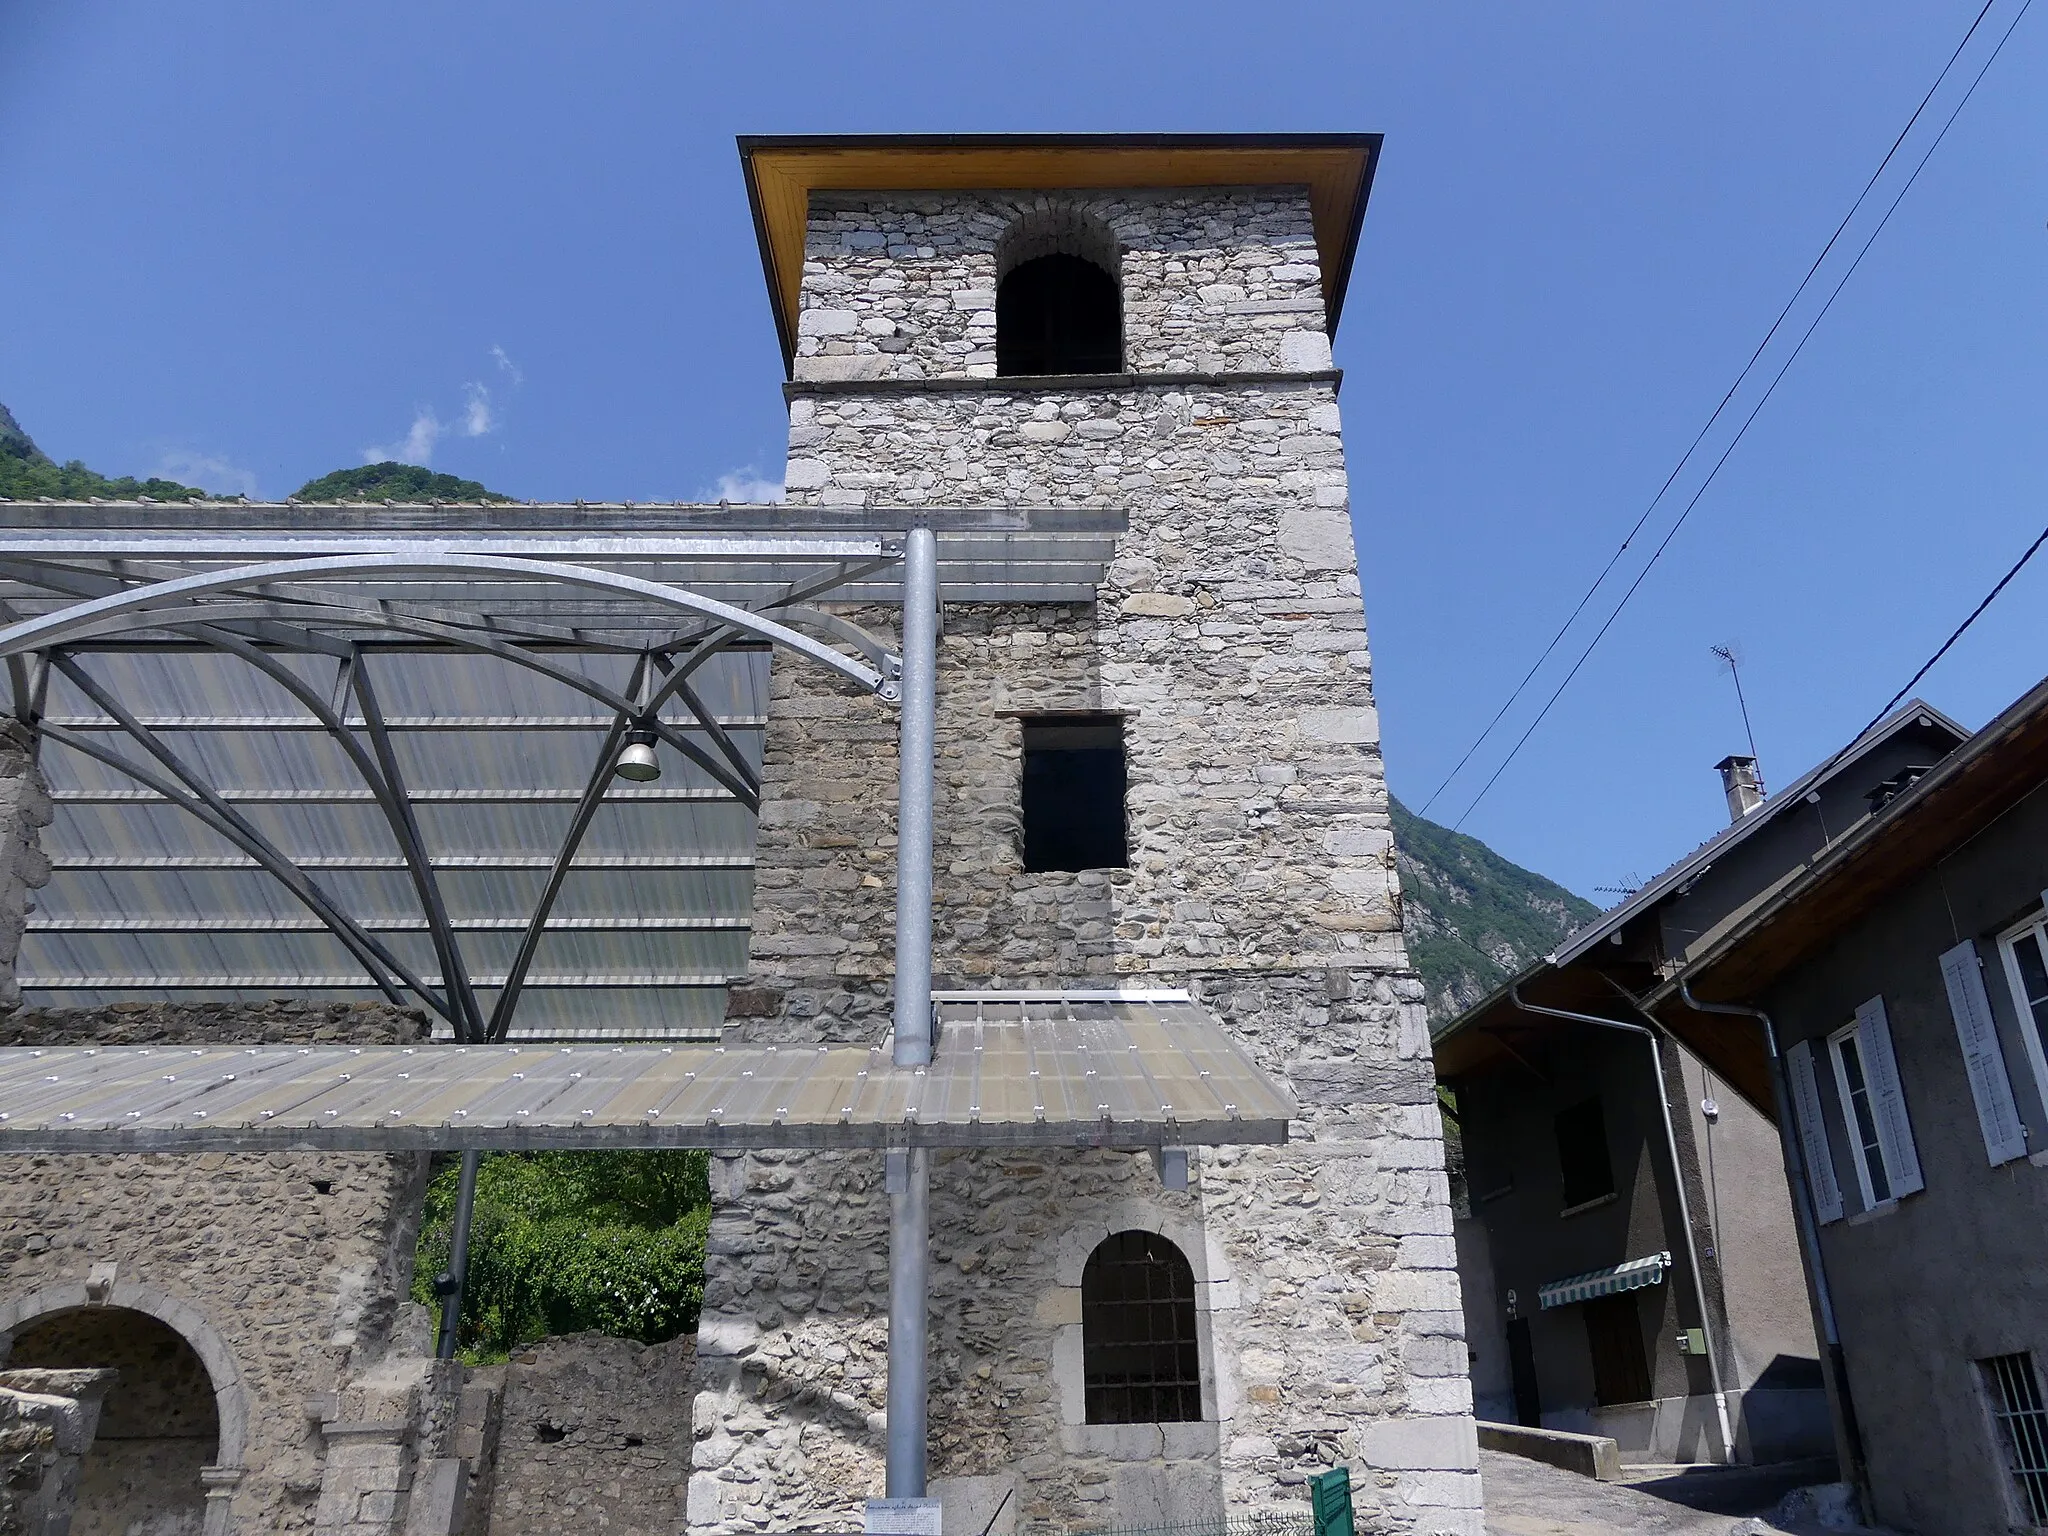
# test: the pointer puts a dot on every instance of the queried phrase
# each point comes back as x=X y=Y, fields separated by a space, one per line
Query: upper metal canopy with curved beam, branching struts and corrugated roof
x=366 y=751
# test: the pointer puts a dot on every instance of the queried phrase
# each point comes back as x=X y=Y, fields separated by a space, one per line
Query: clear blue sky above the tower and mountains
x=249 y=243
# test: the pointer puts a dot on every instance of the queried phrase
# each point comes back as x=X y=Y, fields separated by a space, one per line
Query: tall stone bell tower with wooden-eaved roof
x=1140 y=325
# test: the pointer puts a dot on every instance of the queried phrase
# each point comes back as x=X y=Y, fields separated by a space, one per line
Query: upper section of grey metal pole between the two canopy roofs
x=914 y=800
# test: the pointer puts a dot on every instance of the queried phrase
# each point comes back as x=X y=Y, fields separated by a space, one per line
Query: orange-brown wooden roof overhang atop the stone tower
x=785 y=171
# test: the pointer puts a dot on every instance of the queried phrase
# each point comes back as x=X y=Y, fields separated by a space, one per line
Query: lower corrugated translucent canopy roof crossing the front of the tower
x=1046 y=1072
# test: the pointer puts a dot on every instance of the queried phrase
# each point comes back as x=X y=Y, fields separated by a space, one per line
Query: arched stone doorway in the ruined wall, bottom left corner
x=159 y=1426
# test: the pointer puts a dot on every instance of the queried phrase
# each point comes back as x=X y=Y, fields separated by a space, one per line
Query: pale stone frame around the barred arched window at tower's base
x=1215 y=1293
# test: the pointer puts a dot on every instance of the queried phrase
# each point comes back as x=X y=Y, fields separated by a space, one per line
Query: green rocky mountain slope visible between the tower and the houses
x=1469 y=916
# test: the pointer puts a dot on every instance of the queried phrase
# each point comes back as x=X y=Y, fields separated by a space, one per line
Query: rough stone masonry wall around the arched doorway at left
x=294 y=1263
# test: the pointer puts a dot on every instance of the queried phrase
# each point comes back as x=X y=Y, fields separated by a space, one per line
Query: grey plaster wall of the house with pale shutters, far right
x=1951 y=1275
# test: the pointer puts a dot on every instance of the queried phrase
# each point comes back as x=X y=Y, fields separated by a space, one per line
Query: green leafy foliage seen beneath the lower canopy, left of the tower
x=570 y=1242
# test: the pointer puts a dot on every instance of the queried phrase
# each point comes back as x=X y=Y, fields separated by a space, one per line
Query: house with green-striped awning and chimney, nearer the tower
x=1629 y=1254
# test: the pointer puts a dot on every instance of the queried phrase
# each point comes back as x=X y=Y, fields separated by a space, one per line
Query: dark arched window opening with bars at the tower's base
x=1140 y=1353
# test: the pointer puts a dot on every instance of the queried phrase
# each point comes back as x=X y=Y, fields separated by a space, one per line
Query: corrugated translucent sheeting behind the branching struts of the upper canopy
x=146 y=904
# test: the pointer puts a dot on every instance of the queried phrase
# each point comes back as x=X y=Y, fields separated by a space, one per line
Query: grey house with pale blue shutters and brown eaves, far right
x=1906 y=976
